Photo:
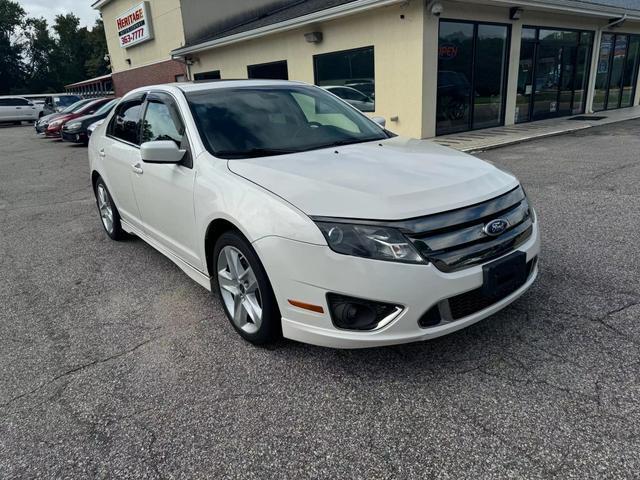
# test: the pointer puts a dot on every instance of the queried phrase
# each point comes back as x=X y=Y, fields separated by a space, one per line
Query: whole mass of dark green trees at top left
x=34 y=60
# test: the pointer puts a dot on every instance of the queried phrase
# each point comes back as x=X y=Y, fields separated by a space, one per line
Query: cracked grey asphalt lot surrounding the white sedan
x=113 y=364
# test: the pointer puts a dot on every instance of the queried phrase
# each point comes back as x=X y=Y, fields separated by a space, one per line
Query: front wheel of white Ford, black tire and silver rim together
x=242 y=285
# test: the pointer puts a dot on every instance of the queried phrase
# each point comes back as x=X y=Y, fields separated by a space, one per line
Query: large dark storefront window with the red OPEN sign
x=472 y=68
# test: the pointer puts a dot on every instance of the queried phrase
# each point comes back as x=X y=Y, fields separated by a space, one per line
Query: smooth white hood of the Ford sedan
x=392 y=179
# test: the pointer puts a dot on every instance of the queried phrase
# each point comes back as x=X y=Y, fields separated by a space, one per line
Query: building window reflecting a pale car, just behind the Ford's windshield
x=349 y=74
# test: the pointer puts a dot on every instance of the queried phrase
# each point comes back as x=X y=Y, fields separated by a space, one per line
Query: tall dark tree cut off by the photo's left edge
x=11 y=72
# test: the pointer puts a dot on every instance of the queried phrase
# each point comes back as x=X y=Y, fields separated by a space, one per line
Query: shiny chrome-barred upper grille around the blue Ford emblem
x=456 y=239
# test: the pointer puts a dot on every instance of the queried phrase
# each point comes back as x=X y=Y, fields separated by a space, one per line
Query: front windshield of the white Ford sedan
x=248 y=122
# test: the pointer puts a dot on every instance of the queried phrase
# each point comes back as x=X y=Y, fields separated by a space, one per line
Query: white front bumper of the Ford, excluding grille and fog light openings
x=305 y=272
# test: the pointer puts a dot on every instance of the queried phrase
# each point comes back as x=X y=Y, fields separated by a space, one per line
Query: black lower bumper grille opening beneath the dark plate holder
x=468 y=303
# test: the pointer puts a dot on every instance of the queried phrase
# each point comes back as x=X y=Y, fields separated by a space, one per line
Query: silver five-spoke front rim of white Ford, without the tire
x=239 y=289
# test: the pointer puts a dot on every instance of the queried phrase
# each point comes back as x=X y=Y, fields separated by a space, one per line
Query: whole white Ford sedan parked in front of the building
x=308 y=219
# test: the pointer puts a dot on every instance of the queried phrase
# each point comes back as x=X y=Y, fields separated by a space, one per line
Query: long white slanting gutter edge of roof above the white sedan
x=321 y=16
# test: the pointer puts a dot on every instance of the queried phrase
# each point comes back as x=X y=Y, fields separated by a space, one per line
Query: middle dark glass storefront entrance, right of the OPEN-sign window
x=553 y=74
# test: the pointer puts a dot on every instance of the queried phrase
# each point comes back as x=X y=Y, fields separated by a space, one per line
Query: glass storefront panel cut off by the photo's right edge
x=617 y=71
